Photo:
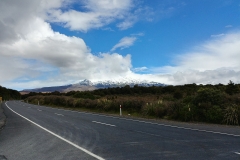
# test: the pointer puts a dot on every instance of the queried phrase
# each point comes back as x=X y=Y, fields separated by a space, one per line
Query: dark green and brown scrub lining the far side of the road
x=219 y=104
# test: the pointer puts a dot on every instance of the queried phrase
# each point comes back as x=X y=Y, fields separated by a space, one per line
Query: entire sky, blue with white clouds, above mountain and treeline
x=58 y=42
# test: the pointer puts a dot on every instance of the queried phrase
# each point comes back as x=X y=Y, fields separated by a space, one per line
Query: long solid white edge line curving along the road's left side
x=69 y=142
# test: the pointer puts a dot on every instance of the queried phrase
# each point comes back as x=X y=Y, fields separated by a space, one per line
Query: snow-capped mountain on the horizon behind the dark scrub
x=88 y=85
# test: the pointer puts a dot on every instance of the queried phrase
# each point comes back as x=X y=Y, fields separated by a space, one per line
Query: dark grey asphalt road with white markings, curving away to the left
x=38 y=132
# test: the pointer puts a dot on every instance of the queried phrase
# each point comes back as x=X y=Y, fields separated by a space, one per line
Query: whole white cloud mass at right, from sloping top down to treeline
x=215 y=61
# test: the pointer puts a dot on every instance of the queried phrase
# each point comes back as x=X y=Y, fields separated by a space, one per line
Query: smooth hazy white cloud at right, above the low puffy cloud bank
x=214 y=54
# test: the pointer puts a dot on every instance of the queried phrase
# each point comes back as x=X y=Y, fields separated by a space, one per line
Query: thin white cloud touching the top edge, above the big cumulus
x=96 y=14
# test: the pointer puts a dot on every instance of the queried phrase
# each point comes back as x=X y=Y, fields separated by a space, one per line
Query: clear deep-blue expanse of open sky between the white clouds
x=184 y=25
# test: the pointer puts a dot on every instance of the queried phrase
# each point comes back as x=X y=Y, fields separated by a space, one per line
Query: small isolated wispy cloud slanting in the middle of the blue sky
x=125 y=42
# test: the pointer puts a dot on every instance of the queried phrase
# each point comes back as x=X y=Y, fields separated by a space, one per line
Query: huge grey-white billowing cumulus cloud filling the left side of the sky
x=29 y=43
